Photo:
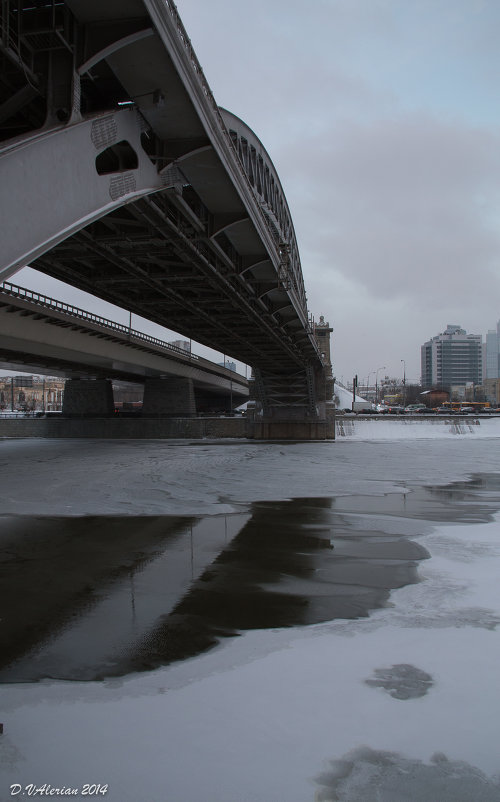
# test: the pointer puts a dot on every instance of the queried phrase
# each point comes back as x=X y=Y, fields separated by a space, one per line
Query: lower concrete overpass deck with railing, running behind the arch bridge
x=47 y=336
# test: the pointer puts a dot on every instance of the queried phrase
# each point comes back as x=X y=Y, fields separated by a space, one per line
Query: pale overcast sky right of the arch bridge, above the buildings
x=382 y=118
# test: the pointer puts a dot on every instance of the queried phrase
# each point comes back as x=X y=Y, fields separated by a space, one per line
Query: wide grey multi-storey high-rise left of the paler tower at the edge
x=452 y=358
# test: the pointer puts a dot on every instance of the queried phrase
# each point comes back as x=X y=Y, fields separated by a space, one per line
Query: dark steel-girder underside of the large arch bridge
x=149 y=257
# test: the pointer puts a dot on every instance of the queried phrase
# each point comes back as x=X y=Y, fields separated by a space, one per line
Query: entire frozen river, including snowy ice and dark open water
x=253 y=622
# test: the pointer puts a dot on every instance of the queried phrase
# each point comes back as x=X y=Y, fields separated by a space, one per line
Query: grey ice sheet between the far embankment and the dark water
x=127 y=477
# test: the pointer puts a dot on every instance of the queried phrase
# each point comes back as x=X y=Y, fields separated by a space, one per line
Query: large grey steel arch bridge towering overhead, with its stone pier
x=121 y=176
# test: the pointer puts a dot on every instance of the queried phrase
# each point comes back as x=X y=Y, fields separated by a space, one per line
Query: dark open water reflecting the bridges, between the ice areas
x=94 y=597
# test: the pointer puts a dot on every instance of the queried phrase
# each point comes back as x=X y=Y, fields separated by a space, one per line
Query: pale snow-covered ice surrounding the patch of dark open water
x=400 y=705
